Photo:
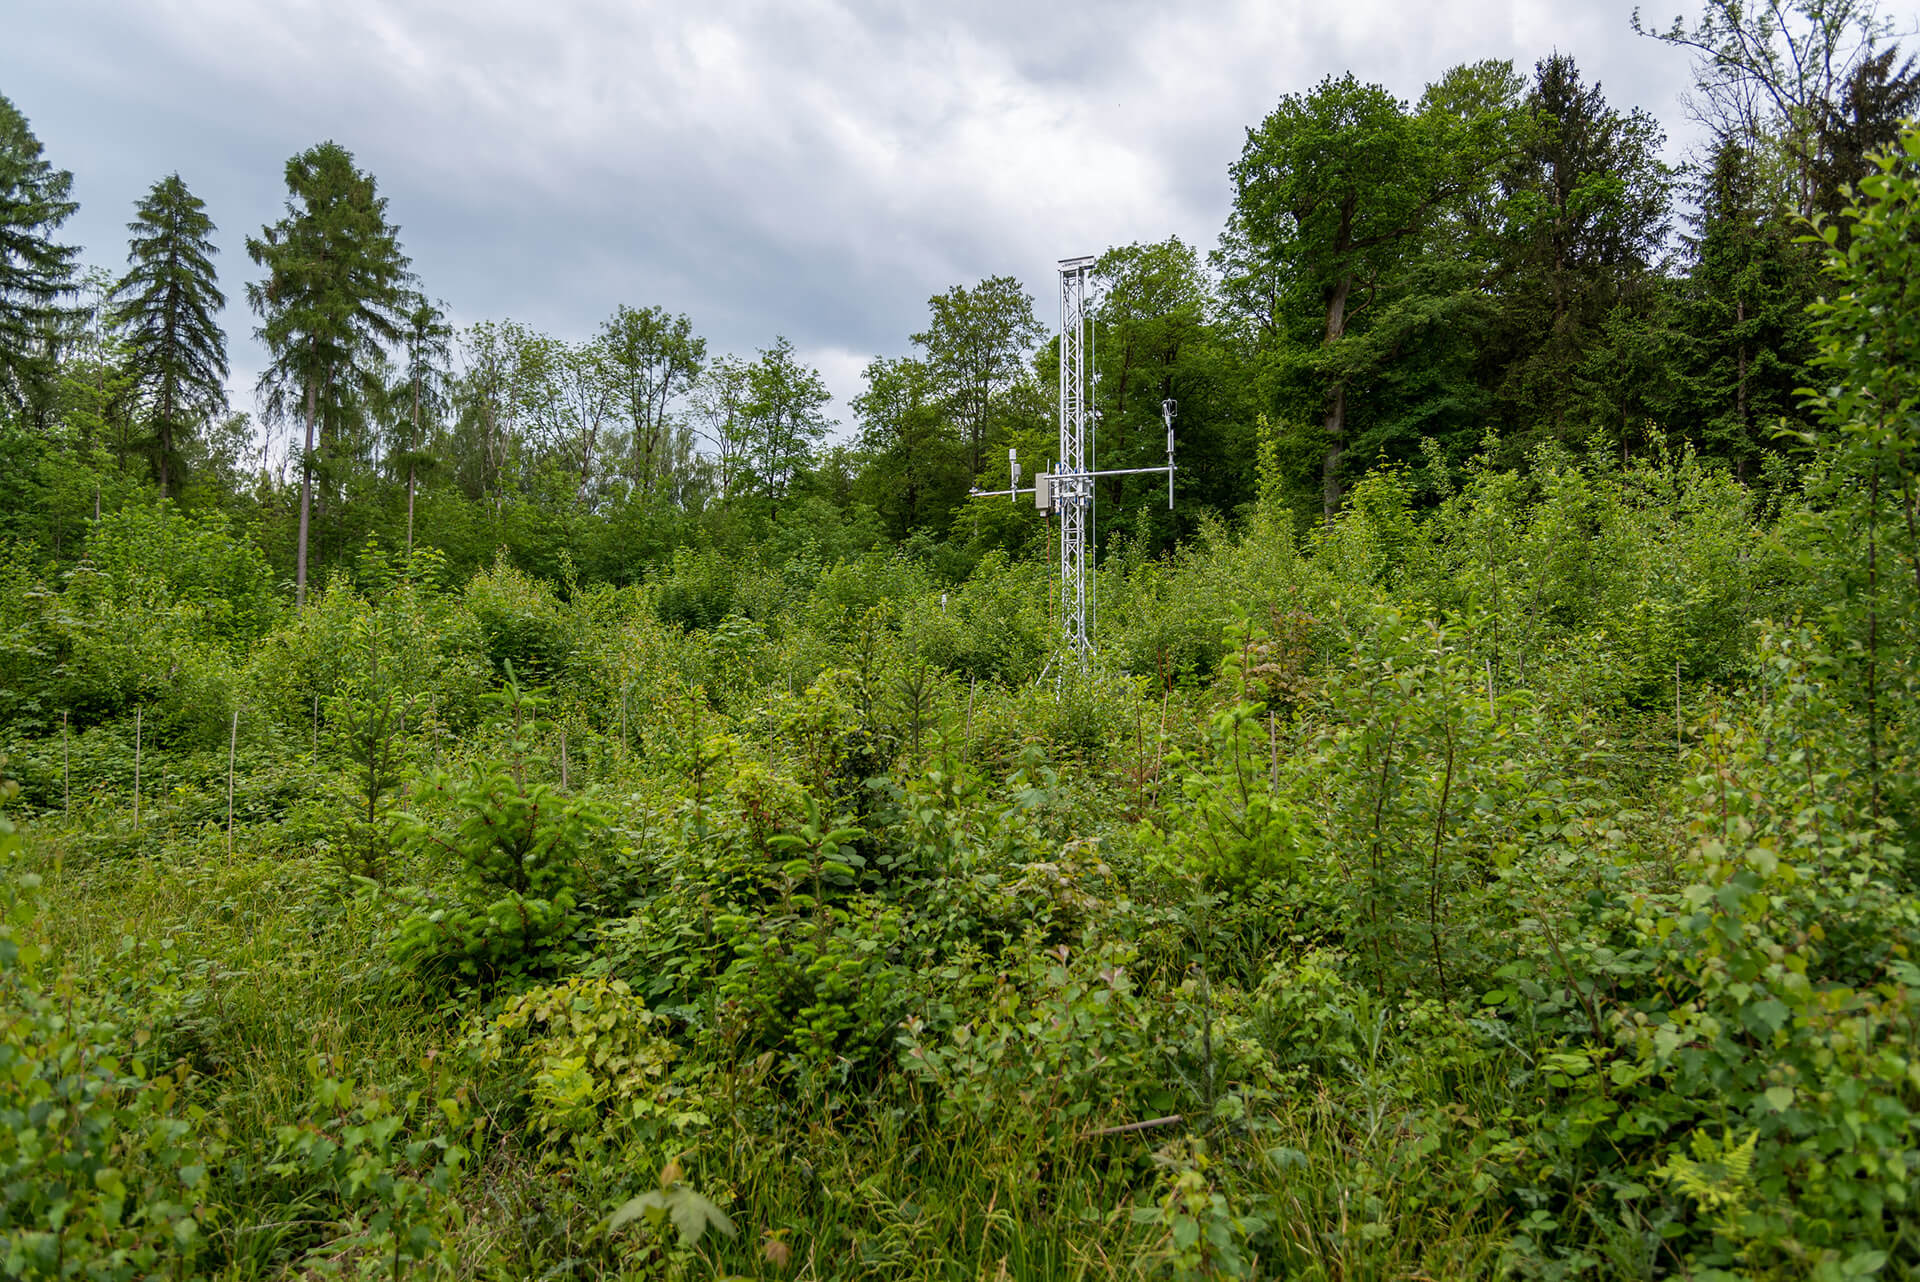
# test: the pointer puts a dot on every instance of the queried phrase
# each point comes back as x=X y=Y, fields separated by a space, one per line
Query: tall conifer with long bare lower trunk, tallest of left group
x=333 y=298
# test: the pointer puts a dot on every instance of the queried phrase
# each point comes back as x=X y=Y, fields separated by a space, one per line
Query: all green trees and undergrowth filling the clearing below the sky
x=508 y=807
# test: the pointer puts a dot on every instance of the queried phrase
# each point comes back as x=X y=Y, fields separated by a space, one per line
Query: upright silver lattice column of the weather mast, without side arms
x=1072 y=481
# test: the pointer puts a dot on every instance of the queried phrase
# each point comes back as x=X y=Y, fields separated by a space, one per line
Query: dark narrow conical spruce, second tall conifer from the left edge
x=166 y=308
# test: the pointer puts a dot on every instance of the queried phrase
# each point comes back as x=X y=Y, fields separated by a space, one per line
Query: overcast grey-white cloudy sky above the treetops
x=813 y=168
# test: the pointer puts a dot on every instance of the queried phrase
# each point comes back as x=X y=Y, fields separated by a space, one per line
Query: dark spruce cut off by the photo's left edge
x=36 y=273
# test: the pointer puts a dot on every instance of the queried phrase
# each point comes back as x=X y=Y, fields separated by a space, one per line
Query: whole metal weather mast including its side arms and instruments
x=1068 y=488
